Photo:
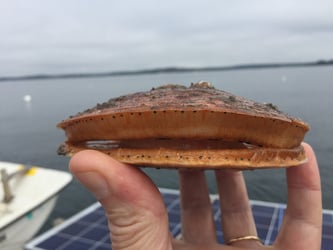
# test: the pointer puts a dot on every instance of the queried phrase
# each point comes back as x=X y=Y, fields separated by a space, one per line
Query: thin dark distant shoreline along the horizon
x=166 y=70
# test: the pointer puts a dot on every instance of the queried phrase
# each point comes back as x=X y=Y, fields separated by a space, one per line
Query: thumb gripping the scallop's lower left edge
x=134 y=207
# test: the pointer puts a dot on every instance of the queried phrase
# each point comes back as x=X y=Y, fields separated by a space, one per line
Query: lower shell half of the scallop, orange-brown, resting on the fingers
x=200 y=154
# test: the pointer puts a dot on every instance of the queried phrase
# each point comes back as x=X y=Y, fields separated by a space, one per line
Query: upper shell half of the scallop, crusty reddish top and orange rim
x=178 y=112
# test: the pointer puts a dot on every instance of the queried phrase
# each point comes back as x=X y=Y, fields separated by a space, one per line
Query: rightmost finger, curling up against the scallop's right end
x=302 y=224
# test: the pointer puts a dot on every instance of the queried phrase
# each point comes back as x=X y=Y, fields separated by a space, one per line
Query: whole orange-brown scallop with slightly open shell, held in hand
x=173 y=126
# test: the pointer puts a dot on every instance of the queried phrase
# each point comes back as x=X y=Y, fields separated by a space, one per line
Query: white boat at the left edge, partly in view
x=28 y=195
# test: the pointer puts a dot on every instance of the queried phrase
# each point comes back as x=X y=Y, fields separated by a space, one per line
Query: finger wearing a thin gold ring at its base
x=236 y=213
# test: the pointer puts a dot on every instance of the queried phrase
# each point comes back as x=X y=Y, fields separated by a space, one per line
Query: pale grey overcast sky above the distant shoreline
x=88 y=36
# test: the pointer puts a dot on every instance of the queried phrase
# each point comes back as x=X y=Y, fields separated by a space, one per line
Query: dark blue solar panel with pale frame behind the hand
x=89 y=229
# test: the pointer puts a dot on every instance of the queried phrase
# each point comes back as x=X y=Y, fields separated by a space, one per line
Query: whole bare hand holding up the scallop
x=138 y=218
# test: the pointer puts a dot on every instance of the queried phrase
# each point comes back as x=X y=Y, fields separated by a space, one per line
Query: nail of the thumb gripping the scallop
x=95 y=183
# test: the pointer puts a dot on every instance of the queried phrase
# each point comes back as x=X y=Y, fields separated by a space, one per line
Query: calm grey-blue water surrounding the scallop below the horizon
x=28 y=133
